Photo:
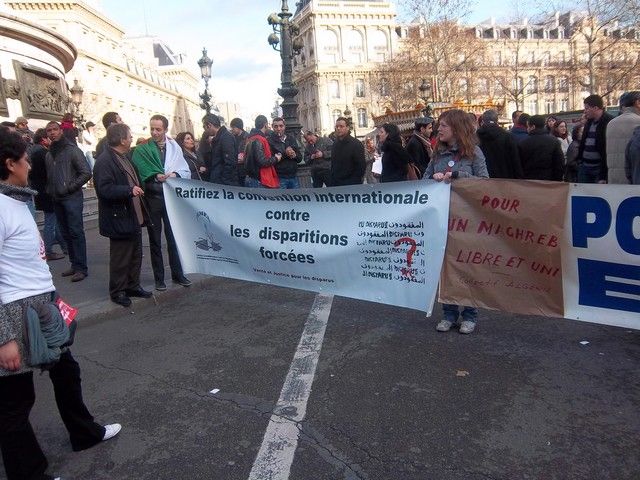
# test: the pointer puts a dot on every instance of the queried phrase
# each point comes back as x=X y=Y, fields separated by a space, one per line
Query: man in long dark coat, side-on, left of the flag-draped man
x=120 y=215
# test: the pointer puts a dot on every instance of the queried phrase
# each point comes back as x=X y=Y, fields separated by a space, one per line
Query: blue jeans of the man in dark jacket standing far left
x=69 y=215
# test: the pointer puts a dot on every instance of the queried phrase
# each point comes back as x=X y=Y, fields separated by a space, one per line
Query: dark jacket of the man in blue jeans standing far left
x=67 y=169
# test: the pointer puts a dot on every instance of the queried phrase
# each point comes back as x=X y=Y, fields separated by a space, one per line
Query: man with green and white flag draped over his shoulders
x=156 y=161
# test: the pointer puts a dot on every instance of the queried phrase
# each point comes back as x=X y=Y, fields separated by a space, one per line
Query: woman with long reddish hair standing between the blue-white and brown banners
x=457 y=155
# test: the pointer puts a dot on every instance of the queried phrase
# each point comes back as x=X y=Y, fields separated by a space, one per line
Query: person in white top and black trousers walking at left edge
x=25 y=281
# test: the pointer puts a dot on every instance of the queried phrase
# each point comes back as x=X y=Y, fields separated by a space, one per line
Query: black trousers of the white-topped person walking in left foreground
x=21 y=452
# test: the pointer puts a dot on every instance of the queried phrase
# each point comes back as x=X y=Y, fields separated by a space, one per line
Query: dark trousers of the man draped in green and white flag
x=158 y=214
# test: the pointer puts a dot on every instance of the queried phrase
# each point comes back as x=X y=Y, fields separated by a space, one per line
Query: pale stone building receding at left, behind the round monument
x=135 y=76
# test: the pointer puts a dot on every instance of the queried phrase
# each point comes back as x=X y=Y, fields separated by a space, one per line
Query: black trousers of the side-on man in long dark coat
x=125 y=261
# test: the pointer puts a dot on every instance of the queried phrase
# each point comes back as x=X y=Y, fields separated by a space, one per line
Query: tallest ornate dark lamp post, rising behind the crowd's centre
x=286 y=34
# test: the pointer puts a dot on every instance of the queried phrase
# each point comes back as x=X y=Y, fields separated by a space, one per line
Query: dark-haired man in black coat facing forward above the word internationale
x=347 y=156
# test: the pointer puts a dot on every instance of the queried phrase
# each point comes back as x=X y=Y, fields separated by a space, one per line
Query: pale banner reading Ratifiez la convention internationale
x=383 y=243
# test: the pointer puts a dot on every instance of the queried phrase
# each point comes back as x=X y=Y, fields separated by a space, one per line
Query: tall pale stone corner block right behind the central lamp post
x=343 y=42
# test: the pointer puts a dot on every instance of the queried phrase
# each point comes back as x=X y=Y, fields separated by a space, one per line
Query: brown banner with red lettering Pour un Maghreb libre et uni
x=503 y=248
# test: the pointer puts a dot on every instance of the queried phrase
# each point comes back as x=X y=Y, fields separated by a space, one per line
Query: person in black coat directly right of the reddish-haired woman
x=499 y=147
